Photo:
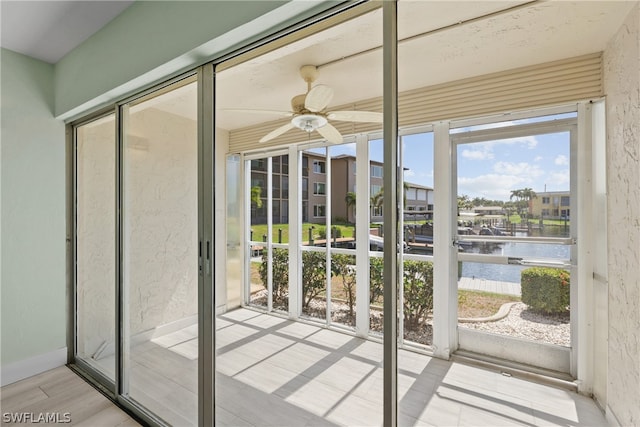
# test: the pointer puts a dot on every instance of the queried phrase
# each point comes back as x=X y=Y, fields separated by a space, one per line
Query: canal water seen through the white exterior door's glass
x=511 y=273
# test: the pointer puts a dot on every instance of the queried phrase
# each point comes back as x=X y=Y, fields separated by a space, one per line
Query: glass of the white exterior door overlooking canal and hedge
x=515 y=240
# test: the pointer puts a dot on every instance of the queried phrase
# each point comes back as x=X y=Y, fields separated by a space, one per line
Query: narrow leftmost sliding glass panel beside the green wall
x=95 y=244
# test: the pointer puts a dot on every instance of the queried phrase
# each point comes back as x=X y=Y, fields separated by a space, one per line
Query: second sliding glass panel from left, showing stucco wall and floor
x=160 y=258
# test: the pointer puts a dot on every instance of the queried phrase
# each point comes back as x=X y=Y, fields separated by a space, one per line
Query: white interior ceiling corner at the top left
x=48 y=30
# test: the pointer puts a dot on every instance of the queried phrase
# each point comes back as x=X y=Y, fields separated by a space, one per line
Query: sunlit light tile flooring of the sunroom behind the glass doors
x=275 y=372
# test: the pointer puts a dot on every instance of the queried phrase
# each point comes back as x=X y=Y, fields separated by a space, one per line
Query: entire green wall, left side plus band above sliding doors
x=147 y=43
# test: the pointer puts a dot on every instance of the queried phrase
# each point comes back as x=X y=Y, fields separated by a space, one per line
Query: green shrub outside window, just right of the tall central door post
x=418 y=292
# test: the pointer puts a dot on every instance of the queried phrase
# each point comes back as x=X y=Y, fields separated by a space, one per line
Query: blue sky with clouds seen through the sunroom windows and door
x=488 y=169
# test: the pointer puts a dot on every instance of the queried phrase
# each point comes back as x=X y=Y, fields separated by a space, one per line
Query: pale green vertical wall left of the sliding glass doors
x=33 y=212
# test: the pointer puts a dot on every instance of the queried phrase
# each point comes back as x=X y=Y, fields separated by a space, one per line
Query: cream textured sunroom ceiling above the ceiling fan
x=535 y=32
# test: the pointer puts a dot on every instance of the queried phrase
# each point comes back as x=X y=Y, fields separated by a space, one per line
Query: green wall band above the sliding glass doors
x=152 y=40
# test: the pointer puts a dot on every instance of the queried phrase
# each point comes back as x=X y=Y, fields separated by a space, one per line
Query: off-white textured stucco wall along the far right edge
x=622 y=88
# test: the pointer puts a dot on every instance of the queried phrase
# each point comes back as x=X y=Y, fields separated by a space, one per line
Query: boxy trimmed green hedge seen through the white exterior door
x=545 y=289
